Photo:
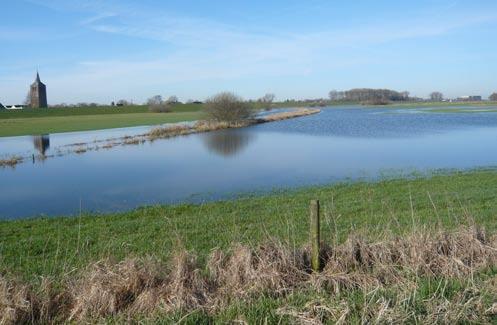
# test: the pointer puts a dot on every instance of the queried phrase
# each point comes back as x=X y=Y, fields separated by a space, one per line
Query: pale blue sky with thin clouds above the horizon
x=104 y=50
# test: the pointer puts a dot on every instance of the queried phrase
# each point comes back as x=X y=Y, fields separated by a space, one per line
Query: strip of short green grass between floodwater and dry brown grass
x=52 y=246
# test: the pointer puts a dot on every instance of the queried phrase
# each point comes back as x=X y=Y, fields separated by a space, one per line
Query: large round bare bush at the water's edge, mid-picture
x=228 y=107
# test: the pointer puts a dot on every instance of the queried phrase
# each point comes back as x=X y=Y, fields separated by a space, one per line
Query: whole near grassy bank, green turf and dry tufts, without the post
x=442 y=279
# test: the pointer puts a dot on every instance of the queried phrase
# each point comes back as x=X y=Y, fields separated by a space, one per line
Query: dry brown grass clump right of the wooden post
x=439 y=254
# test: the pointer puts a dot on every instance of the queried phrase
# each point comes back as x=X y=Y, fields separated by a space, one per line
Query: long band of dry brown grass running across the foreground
x=146 y=287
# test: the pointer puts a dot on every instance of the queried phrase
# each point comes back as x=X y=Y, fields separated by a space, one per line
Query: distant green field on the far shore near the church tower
x=56 y=120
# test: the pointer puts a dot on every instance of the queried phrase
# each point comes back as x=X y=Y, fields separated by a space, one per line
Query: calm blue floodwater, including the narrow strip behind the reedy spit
x=337 y=144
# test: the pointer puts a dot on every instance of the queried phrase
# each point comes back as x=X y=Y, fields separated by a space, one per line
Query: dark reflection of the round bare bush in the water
x=228 y=142
